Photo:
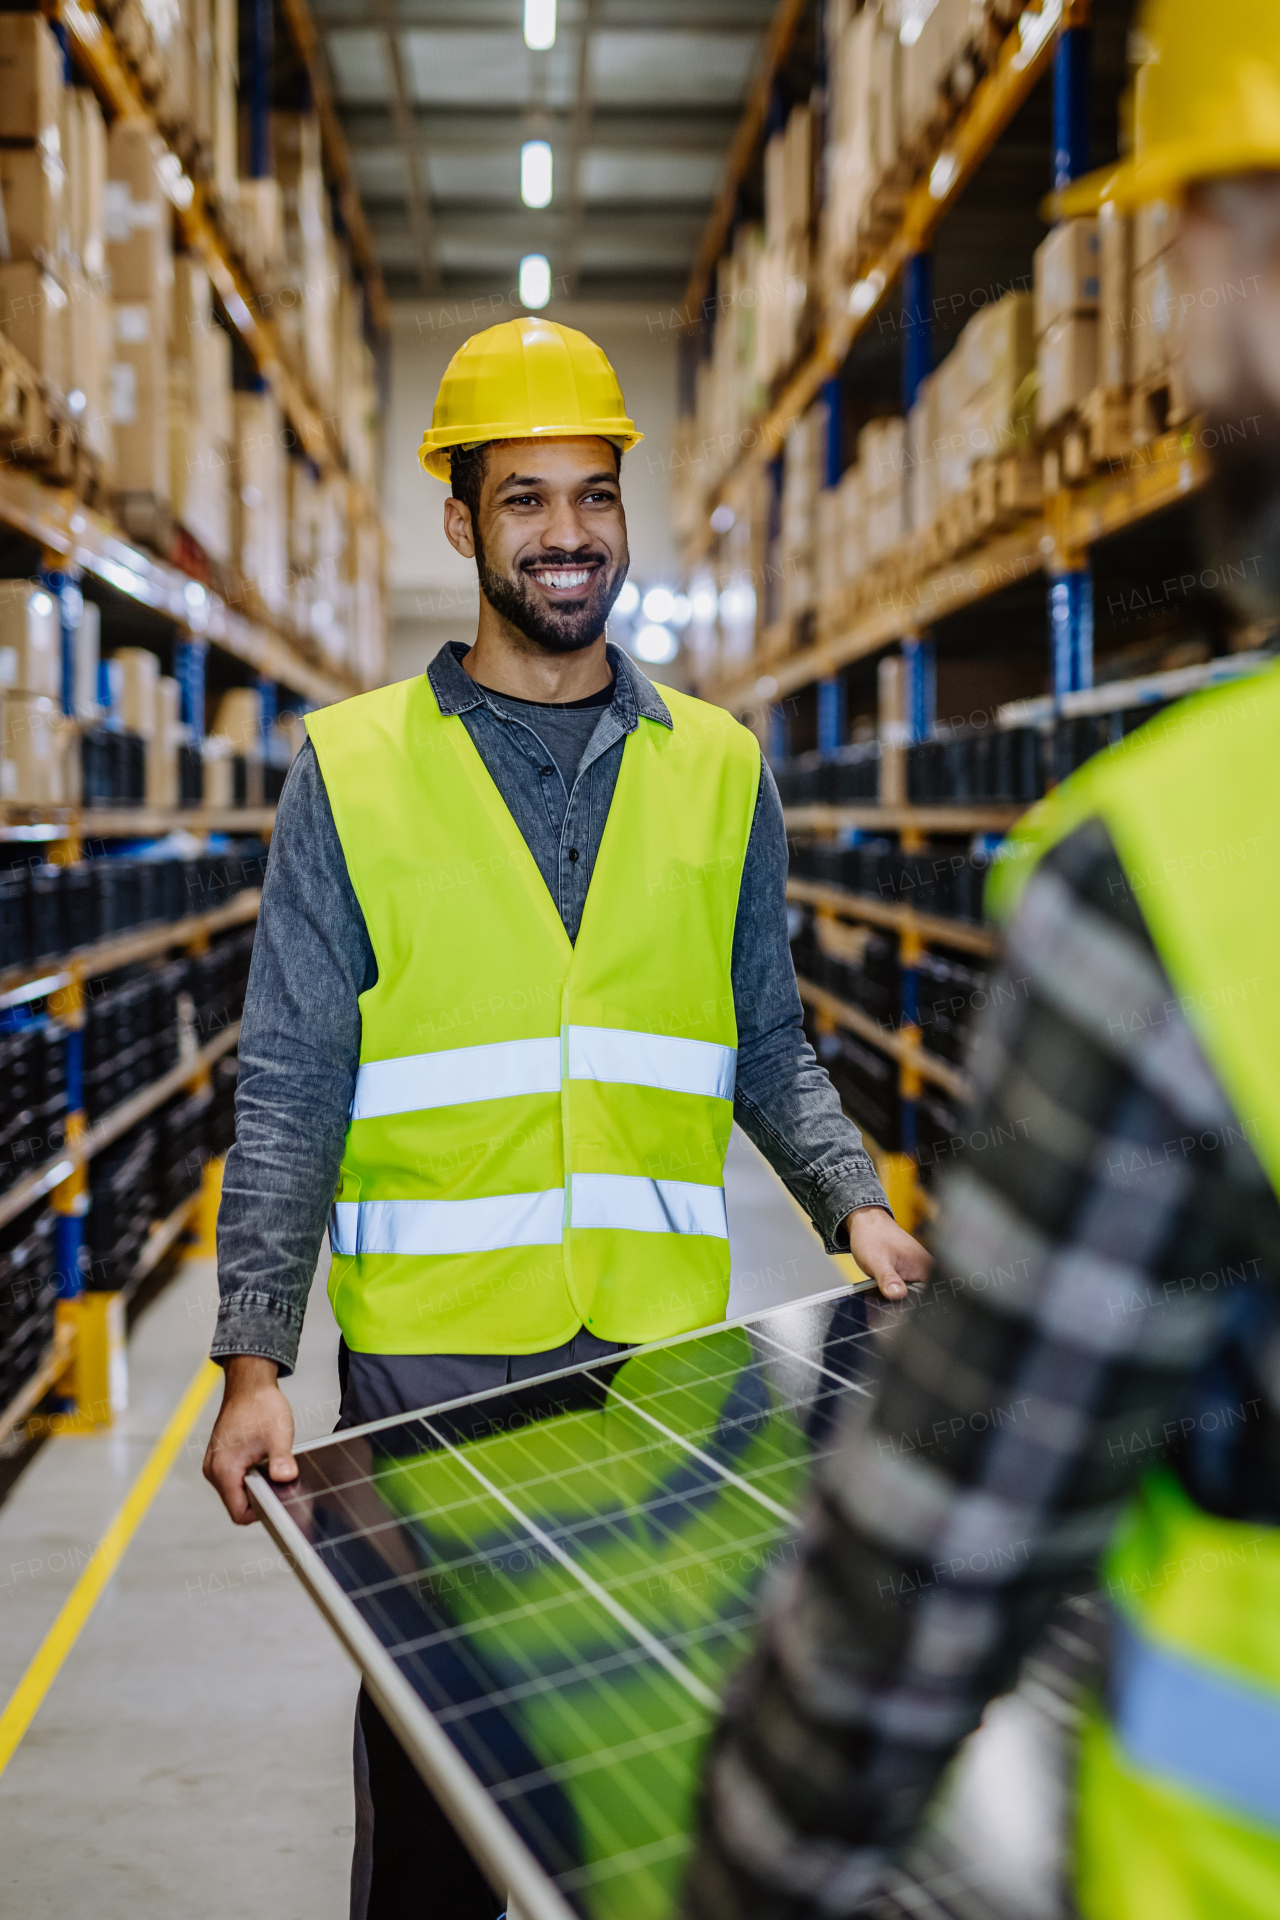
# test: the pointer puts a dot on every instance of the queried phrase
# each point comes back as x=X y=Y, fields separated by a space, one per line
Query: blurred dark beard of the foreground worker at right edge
x=1241 y=510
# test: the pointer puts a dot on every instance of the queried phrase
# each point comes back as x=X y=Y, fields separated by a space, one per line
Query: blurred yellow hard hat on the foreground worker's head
x=1206 y=103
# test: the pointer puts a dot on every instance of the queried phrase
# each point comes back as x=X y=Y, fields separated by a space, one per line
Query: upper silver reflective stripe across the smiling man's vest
x=510 y=1068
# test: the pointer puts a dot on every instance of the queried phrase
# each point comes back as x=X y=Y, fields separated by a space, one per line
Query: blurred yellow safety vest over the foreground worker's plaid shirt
x=1179 y=1788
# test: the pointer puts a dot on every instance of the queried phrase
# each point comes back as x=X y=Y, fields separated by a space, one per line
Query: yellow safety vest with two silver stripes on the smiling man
x=538 y=1130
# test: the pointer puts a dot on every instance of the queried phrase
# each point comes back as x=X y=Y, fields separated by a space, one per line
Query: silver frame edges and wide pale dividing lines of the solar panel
x=490 y=1836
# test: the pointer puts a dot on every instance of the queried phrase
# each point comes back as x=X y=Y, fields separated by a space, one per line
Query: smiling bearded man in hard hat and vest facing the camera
x=521 y=961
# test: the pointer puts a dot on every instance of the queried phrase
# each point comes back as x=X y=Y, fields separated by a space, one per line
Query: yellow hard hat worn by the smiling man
x=525 y=381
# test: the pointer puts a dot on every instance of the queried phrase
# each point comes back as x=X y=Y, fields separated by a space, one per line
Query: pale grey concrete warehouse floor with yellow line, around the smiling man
x=193 y=1756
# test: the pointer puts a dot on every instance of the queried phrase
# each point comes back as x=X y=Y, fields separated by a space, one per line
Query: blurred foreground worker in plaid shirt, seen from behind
x=1089 y=1393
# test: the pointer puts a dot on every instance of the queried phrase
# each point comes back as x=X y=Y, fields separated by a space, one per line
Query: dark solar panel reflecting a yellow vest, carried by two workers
x=548 y=1587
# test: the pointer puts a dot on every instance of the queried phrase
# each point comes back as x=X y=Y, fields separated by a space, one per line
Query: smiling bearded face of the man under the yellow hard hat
x=552 y=539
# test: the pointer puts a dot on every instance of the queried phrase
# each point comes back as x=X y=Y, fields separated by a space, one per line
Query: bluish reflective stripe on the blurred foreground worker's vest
x=1214 y=1735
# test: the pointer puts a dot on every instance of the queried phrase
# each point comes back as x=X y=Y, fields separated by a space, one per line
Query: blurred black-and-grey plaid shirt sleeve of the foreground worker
x=1095 y=1251
